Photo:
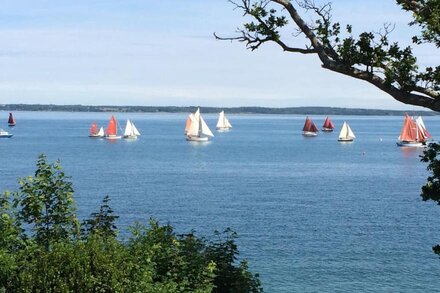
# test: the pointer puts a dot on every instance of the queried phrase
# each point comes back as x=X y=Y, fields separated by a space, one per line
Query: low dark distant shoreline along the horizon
x=229 y=110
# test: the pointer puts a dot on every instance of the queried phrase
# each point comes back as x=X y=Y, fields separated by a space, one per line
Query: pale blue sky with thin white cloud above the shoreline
x=163 y=53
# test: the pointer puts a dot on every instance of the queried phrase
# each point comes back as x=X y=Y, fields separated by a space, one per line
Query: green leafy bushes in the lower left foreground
x=43 y=248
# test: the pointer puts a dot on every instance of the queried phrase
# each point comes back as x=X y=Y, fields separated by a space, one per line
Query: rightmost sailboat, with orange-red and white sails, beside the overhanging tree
x=412 y=134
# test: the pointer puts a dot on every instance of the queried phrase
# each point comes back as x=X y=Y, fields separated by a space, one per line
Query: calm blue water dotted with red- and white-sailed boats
x=312 y=214
